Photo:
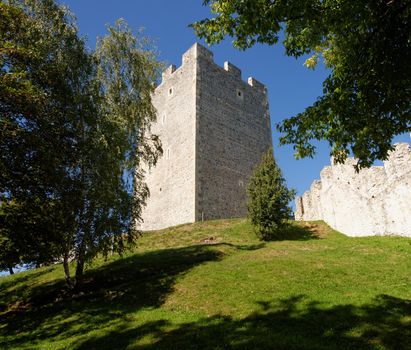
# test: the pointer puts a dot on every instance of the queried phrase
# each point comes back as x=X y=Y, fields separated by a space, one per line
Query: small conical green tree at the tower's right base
x=268 y=199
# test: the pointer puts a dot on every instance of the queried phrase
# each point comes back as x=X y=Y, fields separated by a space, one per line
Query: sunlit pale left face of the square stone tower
x=172 y=181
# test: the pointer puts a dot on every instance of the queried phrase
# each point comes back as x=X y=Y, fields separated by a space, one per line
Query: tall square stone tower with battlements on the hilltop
x=214 y=128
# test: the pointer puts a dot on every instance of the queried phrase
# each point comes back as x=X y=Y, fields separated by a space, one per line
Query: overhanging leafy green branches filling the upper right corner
x=365 y=43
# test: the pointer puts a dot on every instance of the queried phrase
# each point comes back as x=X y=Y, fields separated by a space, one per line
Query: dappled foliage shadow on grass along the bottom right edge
x=292 y=324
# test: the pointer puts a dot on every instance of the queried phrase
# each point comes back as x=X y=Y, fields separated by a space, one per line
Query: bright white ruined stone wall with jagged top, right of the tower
x=375 y=201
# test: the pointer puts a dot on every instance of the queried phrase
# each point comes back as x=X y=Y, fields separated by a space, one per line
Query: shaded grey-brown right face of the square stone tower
x=233 y=132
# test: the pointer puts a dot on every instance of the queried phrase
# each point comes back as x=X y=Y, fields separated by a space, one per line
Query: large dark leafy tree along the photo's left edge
x=44 y=72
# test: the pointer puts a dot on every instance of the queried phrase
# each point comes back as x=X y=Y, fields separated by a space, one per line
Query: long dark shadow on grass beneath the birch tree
x=111 y=291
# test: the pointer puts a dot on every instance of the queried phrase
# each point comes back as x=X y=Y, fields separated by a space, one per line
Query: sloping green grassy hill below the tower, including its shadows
x=213 y=285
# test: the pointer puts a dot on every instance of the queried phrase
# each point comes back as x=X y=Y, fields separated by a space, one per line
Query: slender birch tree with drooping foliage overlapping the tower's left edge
x=116 y=143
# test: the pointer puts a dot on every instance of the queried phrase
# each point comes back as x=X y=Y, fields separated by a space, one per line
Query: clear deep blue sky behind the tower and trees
x=291 y=86
